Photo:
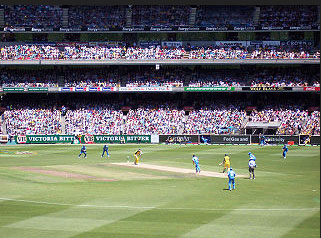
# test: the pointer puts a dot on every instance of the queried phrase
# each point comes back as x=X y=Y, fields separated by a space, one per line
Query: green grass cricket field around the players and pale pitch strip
x=283 y=201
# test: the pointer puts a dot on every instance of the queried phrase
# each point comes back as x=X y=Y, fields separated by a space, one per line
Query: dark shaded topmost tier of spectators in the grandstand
x=115 y=17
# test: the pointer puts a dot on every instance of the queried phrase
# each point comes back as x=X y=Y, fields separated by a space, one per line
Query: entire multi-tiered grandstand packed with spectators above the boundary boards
x=205 y=70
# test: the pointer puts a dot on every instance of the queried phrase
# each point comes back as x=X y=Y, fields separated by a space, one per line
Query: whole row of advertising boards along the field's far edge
x=183 y=139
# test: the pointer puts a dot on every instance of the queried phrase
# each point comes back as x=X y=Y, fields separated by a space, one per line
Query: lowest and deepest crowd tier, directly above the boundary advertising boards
x=207 y=116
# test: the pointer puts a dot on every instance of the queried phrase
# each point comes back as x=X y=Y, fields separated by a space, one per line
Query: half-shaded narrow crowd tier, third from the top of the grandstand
x=146 y=76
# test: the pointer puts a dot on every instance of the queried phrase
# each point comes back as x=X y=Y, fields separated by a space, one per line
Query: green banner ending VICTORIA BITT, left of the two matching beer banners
x=44 y=139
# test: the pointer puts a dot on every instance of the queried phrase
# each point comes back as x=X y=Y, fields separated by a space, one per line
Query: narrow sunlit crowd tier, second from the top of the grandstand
x=46 y=52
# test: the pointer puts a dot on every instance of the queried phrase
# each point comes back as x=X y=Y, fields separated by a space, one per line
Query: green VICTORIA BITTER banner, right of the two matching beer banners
x=100 y=139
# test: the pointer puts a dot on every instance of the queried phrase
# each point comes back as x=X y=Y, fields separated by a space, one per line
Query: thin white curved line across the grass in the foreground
x=162 y=208
